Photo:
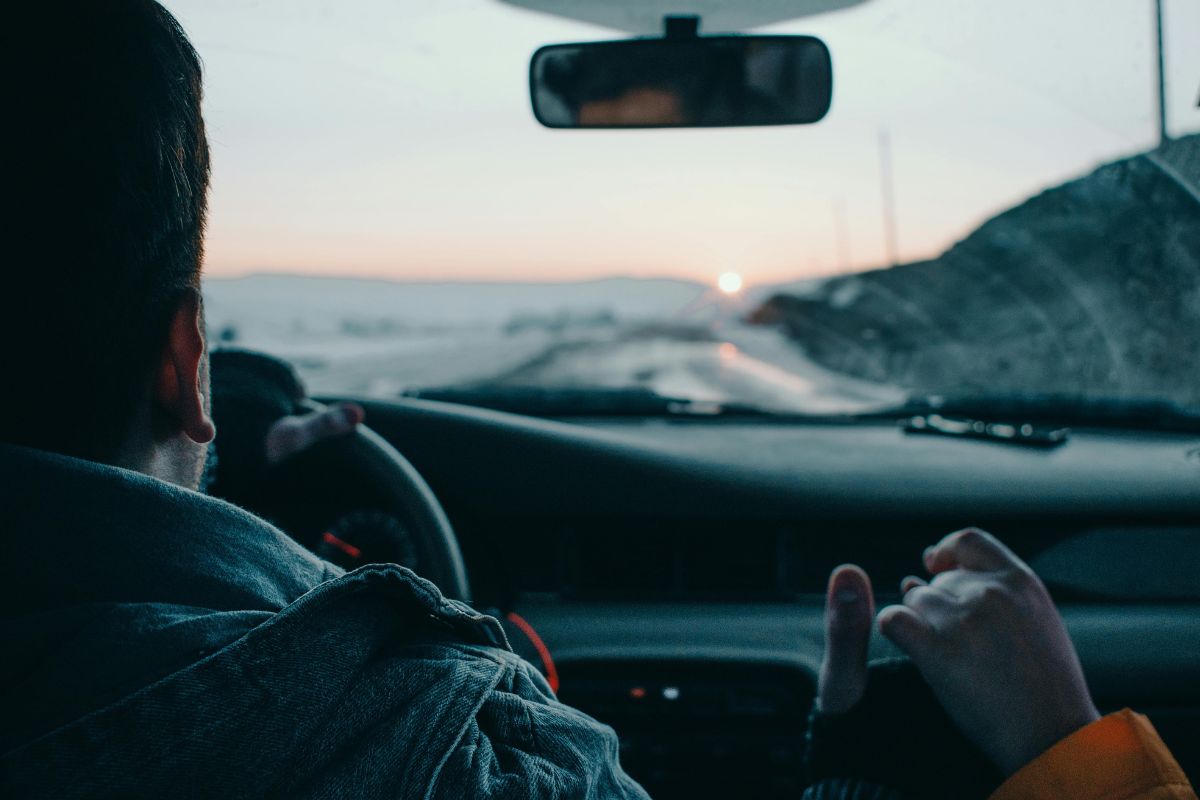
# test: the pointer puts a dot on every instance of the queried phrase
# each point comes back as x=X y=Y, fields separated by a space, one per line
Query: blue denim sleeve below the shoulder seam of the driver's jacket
x=523 y=743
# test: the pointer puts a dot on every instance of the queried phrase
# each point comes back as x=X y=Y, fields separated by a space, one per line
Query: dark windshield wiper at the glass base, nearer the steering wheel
x=580 y=401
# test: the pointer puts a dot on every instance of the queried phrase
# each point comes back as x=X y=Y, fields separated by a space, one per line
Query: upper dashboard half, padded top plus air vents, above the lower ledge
x=645 y=510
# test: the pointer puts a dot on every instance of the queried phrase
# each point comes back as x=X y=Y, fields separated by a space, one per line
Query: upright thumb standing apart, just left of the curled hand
x=850 y=609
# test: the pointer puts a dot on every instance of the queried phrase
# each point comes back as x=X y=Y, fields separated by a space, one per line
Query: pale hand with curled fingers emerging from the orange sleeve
x=989 y=641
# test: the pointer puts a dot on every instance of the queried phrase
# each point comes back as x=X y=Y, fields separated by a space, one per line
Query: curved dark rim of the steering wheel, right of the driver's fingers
x=411 y=497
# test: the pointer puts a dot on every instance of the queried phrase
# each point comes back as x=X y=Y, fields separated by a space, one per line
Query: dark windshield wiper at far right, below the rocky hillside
x=1045 y=413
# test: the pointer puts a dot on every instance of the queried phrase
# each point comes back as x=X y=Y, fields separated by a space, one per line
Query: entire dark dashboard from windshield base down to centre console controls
x=676 y=569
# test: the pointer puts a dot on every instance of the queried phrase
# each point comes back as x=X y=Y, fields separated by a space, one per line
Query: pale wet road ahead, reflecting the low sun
x=727 y=364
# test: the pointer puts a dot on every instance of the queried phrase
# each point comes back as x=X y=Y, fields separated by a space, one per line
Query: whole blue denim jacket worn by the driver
x=169 y=645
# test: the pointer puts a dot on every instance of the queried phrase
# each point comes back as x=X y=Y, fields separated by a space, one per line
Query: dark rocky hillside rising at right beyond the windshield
x=1090 y=287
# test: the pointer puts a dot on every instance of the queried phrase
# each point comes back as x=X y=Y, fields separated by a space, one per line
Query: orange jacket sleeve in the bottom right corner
x=1119 y=757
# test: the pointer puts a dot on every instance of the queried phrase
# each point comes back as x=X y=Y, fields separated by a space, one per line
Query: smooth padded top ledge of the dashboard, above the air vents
x=783 y=470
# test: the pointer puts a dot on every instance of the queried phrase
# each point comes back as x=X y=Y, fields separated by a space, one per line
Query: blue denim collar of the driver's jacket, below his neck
x=83 y=532
